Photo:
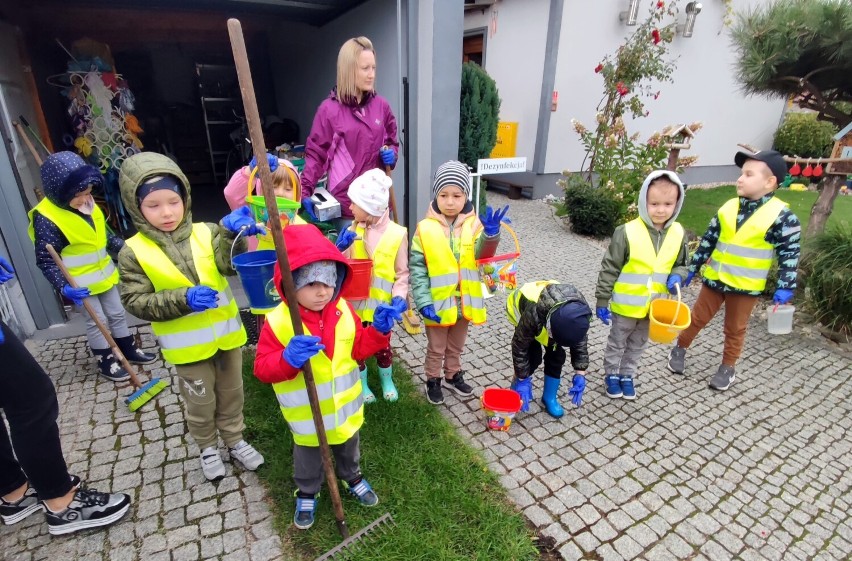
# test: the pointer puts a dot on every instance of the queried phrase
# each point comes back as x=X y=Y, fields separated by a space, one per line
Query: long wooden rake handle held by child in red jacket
x=238 y=45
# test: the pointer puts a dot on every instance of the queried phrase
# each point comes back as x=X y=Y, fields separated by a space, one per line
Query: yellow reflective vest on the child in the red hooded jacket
x=338 y=383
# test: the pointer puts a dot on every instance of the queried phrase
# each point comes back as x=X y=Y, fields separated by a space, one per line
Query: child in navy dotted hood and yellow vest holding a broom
x=69 y=220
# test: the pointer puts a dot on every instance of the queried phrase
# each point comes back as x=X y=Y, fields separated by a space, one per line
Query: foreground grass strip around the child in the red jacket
x=446 y=504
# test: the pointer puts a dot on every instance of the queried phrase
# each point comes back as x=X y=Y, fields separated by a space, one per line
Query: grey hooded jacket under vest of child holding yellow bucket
x=618 y=252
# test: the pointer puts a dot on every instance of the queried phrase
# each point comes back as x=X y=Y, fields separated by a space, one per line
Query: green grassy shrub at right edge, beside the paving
x=826 y=271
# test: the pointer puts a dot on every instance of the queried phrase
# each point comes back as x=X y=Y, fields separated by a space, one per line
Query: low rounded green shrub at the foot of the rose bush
x=593 y=212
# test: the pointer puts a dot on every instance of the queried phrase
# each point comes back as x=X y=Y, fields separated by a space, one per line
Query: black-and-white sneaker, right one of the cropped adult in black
x=88 y=509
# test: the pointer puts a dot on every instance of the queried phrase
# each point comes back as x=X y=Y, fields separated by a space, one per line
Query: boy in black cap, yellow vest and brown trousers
x=739 y=246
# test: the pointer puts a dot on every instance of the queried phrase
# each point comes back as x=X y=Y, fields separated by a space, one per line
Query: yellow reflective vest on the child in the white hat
x=384 y=268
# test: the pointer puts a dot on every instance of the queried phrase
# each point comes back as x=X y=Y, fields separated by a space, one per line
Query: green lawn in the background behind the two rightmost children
x=701 y=204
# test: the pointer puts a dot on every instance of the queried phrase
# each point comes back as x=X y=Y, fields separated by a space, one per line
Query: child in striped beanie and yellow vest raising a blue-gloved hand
x=445 y=280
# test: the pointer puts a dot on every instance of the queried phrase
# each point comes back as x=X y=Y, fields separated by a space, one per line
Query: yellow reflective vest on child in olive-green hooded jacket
x=199 y=335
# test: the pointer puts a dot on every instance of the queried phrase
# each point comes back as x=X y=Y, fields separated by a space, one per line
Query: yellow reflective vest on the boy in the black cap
x=742 y=257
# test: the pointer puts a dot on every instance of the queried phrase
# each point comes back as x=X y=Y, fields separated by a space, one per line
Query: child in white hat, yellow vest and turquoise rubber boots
x=376 y=237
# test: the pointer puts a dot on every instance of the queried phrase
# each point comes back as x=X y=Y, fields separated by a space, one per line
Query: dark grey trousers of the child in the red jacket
x=308 y=472
